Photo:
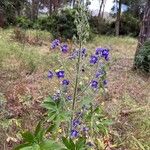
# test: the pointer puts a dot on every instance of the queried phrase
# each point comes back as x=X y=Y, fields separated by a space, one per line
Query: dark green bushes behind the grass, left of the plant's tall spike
x=60 y=24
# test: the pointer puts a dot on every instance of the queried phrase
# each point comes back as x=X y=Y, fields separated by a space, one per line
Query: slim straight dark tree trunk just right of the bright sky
x=118 y=18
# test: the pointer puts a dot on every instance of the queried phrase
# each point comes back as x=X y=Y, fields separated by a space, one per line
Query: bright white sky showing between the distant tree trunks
x=95 y=5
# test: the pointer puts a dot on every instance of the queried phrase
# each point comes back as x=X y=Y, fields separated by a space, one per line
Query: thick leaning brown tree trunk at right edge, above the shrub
x=145 y=27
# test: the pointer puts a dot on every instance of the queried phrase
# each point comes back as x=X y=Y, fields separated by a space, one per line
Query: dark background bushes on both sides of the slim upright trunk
x=129 y=25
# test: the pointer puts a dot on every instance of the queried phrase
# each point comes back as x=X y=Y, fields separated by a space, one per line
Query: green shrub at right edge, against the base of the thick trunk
x=142 y=60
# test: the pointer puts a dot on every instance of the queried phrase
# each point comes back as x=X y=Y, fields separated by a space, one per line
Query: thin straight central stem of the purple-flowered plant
x=76 y=86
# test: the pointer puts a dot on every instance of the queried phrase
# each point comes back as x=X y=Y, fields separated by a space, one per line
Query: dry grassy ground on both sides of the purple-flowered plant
x=24 y=62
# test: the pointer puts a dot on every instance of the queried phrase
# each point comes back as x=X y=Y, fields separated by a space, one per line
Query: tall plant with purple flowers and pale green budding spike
x=76 y=120
